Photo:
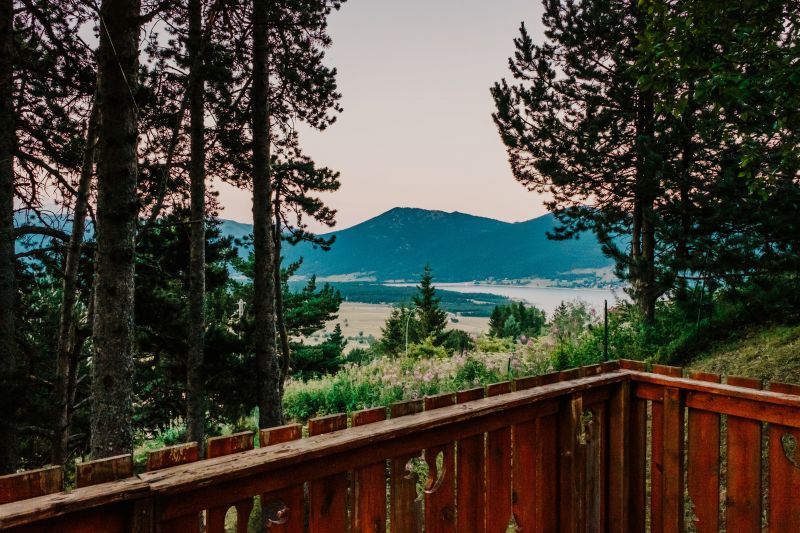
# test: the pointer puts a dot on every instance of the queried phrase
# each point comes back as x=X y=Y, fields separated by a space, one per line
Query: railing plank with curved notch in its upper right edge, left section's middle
x=405 y=510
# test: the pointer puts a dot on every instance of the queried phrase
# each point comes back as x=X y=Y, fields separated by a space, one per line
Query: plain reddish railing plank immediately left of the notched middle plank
x=369 y=484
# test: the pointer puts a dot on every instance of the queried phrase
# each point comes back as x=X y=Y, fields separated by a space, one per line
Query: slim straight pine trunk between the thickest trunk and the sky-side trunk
x=197 y=251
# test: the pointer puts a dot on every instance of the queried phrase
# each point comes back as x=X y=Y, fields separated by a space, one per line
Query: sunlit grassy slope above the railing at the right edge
x=770 y=353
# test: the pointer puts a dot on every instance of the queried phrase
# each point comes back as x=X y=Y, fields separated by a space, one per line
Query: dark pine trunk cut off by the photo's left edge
x=8 y=437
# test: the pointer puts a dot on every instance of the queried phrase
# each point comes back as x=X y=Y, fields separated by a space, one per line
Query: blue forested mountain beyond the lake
x=395 y=245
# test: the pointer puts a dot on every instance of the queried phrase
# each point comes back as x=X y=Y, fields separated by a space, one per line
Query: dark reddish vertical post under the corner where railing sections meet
x=618 y=458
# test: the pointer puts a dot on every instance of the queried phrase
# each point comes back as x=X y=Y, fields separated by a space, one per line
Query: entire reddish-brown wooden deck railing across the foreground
x=604 y=448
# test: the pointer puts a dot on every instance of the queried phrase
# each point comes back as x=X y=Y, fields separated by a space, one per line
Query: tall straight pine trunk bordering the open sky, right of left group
x=267 y=365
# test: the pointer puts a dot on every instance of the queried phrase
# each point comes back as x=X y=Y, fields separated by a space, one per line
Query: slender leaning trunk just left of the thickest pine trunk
x=68 y=343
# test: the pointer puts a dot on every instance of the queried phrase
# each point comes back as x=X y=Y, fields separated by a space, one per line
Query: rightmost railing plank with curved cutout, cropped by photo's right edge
x=784 y=471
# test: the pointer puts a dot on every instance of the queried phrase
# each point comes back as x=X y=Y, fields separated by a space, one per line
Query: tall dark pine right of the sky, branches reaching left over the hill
x=580 y=128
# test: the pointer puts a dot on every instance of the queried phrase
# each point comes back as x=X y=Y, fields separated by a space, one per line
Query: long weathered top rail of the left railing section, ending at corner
x=353 y=447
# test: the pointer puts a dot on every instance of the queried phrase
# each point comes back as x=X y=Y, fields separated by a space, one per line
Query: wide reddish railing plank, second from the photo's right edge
x=744 y=469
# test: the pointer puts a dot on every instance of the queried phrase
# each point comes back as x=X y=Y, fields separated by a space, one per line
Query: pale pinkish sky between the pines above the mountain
x=416 y=130
